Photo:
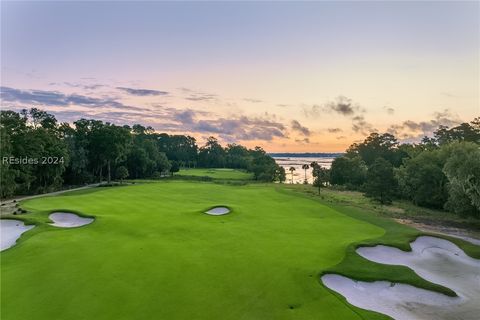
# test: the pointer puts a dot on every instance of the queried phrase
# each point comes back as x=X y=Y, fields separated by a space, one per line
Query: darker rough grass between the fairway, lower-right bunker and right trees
x=396 y=235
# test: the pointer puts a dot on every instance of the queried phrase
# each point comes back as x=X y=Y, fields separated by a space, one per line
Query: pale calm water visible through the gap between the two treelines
x=297 y=162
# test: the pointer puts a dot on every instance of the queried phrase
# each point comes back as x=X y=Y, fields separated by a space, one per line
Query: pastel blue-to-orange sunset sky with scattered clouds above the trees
x=287 y=76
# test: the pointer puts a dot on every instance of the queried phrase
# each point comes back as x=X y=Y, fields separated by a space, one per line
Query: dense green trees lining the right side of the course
x=441 y=172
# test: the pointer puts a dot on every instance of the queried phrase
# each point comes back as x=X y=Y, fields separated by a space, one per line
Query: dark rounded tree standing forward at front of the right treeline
x=380 y=184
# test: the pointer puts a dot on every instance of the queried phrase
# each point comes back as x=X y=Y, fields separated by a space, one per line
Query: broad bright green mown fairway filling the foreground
x=152 y=253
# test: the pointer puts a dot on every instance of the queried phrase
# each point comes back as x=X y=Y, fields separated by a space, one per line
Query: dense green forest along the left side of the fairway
x=40 y=155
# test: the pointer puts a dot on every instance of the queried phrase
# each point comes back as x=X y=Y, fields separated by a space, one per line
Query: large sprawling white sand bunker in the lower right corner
x=436 y=260
